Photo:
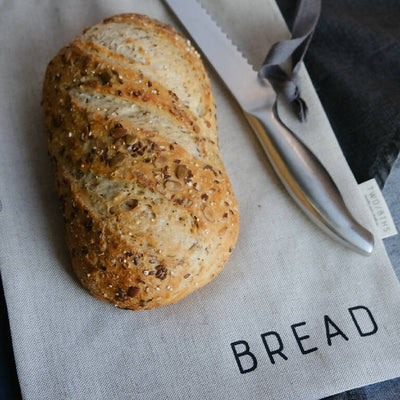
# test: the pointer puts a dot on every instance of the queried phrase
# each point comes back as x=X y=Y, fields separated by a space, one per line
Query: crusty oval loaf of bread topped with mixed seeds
x=130 y=121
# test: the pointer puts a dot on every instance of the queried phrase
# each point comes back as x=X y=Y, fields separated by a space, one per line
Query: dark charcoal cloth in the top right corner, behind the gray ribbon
x=353 y=61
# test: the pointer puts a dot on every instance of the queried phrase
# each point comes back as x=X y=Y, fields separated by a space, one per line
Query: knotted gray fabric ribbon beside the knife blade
x=305 y=21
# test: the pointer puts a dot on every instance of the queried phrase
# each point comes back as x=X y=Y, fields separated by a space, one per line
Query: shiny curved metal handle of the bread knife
x=307 y=180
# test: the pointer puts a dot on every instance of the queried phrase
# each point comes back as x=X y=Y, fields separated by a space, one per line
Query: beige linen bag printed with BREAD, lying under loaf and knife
x=288 y=288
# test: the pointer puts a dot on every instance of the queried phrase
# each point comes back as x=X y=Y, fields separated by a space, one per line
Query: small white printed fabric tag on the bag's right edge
x=379 y=209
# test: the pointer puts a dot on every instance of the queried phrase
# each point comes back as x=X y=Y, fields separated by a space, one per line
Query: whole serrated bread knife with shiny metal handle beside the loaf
x=302 y=174
